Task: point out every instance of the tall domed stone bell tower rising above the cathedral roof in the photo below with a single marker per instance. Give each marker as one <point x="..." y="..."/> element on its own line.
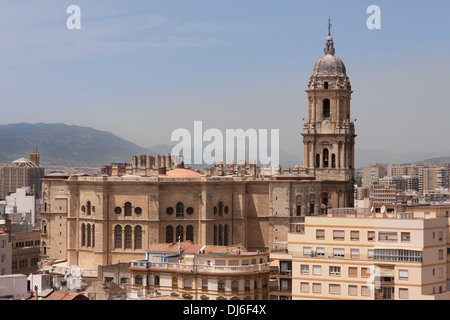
<point x="328" y="133"/>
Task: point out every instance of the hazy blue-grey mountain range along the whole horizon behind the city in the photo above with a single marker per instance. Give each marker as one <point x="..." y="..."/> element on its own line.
<point x="76" y="146"/>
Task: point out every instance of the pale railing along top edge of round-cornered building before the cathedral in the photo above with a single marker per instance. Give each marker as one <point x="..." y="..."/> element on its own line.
<point x="141" y="264"/>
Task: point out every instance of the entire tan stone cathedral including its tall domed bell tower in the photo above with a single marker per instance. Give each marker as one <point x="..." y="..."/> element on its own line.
<point x="116" y="215"/>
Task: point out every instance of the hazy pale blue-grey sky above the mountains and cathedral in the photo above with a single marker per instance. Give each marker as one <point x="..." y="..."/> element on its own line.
<point x="143" y="68"/>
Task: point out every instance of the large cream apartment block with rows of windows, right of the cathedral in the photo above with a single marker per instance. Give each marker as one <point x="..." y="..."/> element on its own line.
<point x="394" y="253"/>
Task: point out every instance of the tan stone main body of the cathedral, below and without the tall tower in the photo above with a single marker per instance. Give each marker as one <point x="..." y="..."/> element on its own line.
<point x="100" y="220"/>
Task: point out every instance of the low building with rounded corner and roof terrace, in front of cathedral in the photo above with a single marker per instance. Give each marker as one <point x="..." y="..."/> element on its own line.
<point x="202" y="272"/>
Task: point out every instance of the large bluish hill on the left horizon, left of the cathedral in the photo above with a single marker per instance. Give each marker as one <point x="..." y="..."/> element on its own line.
<point x="64" y="144"/>
